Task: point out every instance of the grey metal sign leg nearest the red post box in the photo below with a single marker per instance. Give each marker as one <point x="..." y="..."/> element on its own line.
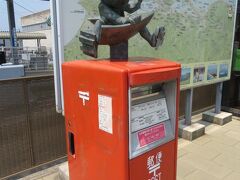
<point x="188" y="107"/>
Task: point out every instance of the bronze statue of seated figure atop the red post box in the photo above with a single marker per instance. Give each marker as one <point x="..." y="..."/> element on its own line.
<point x="114" y="28"/>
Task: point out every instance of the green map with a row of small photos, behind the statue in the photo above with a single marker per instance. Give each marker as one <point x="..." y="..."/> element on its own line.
<point x="199" y="35"/>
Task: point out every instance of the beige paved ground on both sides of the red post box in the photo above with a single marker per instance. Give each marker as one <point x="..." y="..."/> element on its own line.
<point x="215" y="156"/>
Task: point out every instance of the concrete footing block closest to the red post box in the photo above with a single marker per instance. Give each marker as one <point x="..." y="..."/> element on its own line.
<point x="191" y="132"/>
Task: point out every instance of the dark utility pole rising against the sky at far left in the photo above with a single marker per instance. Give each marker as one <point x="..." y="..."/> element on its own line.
<point x="12" y="30"/>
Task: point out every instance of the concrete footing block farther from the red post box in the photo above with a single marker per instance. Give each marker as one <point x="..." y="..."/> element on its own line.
<point x="220" y="119"/>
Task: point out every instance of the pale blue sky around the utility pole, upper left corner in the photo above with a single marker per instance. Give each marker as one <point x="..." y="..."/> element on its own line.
<point x="32" y="5"/>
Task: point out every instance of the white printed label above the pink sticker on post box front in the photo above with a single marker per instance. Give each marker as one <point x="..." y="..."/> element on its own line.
<point x="148" y="114"/>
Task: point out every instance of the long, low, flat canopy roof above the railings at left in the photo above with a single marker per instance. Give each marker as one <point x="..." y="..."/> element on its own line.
<point x="23" y="35"/>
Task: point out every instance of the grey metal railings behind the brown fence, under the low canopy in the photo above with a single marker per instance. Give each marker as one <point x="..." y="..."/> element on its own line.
<point x="33" y="58"/>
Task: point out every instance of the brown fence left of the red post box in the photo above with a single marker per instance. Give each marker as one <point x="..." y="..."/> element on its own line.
<point x="31" y="132"/>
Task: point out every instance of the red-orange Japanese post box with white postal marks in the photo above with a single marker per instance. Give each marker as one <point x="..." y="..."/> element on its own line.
<point x="121" y="119"/>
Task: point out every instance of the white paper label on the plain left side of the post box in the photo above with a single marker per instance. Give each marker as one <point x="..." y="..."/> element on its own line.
<point x="105" y="113"/>
